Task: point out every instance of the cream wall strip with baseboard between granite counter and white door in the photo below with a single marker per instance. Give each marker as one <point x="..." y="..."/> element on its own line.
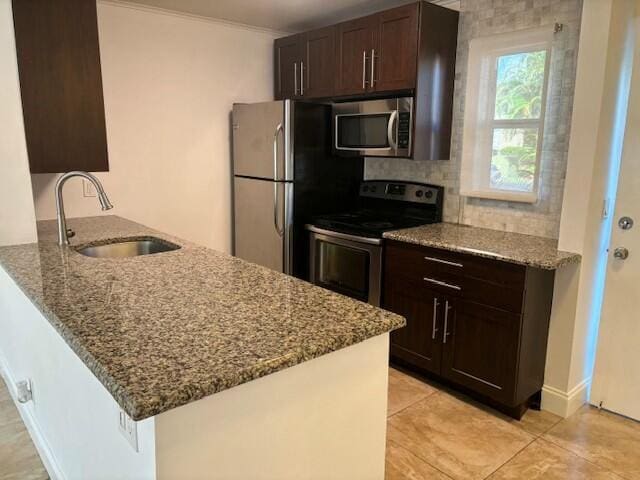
<point x="599" y="105"/>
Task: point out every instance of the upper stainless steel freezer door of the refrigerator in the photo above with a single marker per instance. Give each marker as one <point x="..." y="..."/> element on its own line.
<point x="262" y="140"/>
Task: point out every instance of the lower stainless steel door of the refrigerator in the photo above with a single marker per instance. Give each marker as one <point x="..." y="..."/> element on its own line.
<point x="262" y="222"/>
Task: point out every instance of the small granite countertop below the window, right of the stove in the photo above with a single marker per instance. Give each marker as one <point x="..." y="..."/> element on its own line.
<point x="510" y="247"/>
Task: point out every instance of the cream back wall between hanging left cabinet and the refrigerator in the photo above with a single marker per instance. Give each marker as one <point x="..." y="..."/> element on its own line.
<point x="169" y="84"/>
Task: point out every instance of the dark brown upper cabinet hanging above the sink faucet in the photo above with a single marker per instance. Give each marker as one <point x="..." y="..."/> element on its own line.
<point x="61" y="85"/>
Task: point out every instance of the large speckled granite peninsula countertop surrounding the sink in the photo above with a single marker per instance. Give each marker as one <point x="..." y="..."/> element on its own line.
<point x="160" y="331"/>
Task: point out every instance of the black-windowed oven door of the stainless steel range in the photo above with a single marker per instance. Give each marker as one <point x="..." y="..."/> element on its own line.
<point x="346" y="264"/>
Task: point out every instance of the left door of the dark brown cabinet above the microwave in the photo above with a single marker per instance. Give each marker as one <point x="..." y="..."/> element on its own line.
<point x="355" y="42"/>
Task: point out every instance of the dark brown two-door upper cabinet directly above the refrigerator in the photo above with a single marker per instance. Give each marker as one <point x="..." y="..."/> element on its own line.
<point x="305" y="65"/>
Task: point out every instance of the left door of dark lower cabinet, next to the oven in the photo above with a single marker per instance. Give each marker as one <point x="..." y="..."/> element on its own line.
<point x="420" y="342"/>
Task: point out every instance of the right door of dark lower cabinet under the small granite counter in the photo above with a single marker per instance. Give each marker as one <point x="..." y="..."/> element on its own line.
<point x="481" y="347"/>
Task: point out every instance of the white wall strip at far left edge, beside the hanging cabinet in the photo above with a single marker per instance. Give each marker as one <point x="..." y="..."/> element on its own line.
<point x="17" y="218"/>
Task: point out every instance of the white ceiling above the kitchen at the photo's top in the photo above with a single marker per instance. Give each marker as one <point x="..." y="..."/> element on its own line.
<point x="281" y="15"/>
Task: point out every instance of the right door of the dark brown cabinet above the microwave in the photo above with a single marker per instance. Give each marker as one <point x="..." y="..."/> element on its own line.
<point x="396" y="49"/>
